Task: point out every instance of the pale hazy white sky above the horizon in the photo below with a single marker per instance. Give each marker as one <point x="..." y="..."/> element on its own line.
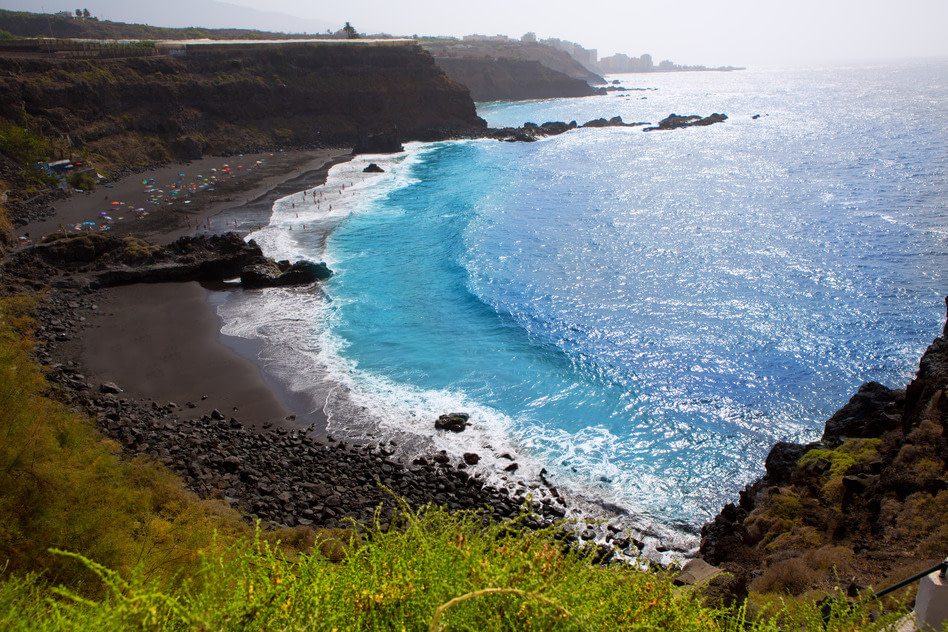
<point x="733" y="32"/>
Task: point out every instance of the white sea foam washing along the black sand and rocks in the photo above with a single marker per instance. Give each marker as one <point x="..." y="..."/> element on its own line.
<point x="302" y="351"/>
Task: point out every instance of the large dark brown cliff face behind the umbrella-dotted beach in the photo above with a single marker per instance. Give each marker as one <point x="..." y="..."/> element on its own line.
<point x="226" y="99"/>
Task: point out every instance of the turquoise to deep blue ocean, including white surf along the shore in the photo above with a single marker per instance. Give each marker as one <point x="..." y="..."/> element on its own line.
<point x="638" y="316"/>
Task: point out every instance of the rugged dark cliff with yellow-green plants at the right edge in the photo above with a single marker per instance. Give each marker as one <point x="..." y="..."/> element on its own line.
<point x="866" y="504"/>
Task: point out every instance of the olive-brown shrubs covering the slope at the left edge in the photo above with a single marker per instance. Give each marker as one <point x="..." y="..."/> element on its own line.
<point x="62" y="486"/>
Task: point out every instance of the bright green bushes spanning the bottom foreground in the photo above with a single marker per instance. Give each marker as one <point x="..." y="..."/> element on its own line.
<point x="435" y="571"/>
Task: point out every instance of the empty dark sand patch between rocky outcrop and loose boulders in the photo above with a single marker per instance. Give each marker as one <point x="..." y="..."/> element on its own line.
<point x="161" y="342"/>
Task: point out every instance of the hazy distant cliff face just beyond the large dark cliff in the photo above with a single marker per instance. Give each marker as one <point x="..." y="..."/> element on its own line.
<point x="512" y="79"/>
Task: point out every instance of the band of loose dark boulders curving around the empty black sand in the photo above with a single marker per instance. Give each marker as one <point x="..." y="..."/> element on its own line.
<point x="281" y="475"/>
